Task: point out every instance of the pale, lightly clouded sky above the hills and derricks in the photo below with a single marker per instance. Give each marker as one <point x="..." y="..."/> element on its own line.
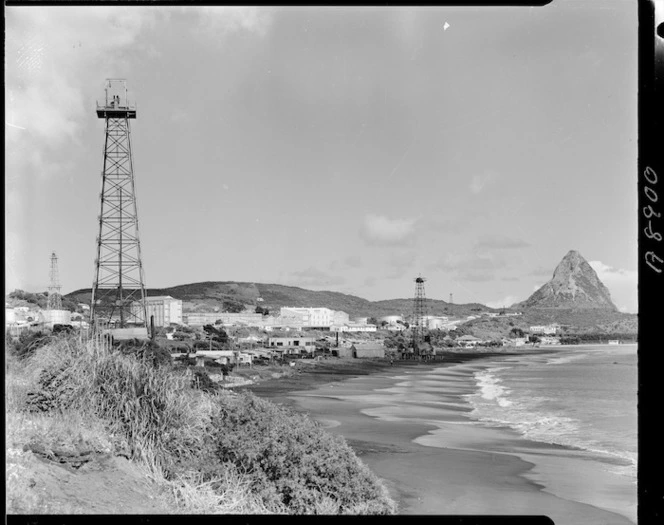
<point x="342" y="148"/>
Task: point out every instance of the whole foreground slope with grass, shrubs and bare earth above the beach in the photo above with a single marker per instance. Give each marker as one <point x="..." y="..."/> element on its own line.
<point x="81" y="411"/>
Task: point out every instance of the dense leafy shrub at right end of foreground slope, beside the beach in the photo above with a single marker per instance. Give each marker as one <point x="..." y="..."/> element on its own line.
<point x="292" y="461"/>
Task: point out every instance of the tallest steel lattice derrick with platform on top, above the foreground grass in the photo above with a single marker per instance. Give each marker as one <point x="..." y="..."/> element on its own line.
<point x="118" y="291"/>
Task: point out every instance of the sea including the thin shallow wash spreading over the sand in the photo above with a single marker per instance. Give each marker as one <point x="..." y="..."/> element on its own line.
<point x="569" y="412"/>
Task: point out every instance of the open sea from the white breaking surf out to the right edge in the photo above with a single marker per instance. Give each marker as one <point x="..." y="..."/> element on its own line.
<point x="584" y="398"/>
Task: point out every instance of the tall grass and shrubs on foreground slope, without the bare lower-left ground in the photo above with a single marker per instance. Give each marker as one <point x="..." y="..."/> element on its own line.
<point x="200" y="447"/>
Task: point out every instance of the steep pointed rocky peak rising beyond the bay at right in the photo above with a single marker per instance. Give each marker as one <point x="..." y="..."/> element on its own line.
<point x="574" y="285"/>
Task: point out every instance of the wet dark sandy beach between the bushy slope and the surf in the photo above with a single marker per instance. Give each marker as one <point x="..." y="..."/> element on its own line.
<point x="455" y="467"/>
